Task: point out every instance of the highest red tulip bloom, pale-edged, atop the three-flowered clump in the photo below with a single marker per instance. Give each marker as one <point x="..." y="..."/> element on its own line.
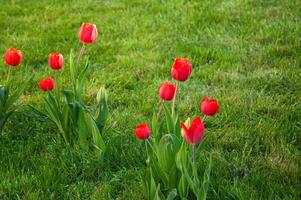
<point x="88" y="33"/>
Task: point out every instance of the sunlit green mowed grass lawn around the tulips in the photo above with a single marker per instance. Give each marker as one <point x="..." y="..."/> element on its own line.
<point x="245" y="53"/>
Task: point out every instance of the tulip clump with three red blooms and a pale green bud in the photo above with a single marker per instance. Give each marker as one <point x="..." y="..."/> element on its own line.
<point x="79" y="125"/>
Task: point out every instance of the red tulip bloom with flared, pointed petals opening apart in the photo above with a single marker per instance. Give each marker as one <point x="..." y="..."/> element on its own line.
<point x="195" y="133"/>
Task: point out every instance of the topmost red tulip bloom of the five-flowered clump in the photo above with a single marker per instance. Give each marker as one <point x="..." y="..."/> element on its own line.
<point x="181" y="69"/>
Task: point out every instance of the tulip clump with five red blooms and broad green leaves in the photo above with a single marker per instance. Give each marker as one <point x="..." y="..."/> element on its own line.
<point x="172" y="150"/>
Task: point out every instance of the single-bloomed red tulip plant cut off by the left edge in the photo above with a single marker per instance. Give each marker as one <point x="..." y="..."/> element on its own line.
<point x="9" y="94"/>
